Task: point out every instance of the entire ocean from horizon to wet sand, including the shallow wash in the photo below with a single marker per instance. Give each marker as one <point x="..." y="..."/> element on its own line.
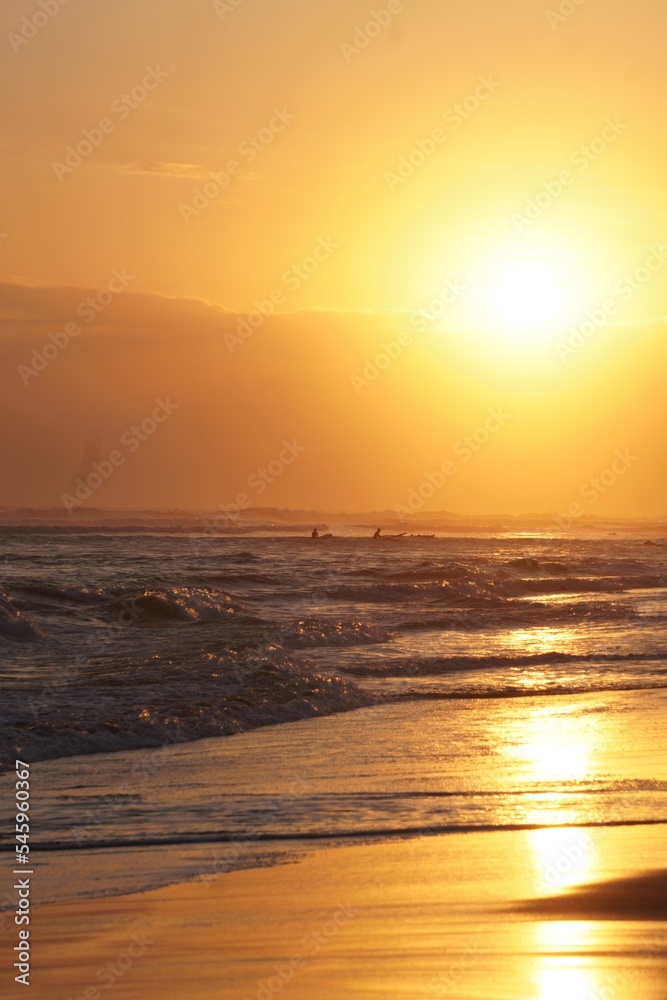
<point x="204" y="703"/>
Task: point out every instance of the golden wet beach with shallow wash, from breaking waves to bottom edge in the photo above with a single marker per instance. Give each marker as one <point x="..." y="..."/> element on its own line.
<point x="529" y="909"/>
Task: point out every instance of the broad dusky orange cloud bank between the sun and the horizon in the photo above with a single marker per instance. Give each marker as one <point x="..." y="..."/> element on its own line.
<point x="291" y="378"/>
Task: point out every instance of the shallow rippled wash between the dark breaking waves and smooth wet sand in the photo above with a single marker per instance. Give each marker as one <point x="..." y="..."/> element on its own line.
<point x="375" y="777"/>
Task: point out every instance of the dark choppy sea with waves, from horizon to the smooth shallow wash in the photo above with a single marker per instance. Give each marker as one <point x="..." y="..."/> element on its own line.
<point x="110" y="641"/>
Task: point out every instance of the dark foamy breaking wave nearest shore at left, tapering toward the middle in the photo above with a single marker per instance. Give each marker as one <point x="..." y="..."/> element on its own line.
<point x="152" y="704"/>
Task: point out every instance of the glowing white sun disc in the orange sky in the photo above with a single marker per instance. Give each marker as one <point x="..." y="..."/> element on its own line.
<point x="528" y="291"/>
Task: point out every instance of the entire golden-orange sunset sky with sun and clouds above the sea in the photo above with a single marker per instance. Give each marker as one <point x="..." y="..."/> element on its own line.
<point x="470" y="193"/>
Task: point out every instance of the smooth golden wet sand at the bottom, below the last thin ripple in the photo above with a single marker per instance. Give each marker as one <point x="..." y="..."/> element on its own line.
<point x="545" y="914"/>
